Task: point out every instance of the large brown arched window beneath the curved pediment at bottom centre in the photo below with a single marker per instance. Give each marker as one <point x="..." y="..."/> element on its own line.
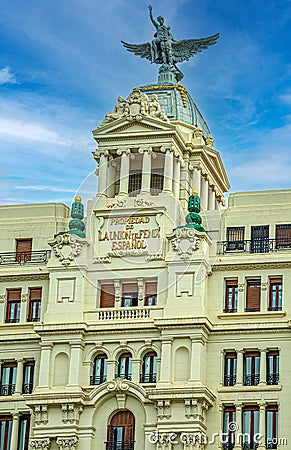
<point x="120" y="435"/>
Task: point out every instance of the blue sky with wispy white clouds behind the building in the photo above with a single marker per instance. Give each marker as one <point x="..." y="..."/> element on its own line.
<point x="62" y="67"/>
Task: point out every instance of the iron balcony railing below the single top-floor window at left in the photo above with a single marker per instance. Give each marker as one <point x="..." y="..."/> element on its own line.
<point x="24" y="258"/>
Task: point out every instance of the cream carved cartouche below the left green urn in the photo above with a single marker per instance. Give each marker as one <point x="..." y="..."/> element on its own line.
<point x="67" y="246"/>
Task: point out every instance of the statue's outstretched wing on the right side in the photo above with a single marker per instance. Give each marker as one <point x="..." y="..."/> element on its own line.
<point x="183" y="50"/>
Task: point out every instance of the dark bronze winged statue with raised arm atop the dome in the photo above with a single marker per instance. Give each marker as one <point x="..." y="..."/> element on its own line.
<point x="166" y="51"/>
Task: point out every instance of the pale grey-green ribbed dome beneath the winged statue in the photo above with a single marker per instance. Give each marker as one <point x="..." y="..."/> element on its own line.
<point x="178" y="104"/>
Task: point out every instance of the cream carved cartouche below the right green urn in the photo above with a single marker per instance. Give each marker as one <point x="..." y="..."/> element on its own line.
<point x="184" y="242"/>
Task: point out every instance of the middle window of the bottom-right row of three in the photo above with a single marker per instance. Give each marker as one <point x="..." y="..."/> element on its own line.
<point x="250" y="419"/>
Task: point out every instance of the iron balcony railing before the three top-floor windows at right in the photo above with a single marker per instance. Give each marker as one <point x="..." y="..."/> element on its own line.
<point x="263" y="245"/>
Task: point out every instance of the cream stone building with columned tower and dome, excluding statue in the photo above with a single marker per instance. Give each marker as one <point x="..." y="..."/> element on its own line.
<point x="161" y="319"/>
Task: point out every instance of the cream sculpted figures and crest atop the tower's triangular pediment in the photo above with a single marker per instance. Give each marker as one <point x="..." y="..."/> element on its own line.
<point x="137" y="106"/>
